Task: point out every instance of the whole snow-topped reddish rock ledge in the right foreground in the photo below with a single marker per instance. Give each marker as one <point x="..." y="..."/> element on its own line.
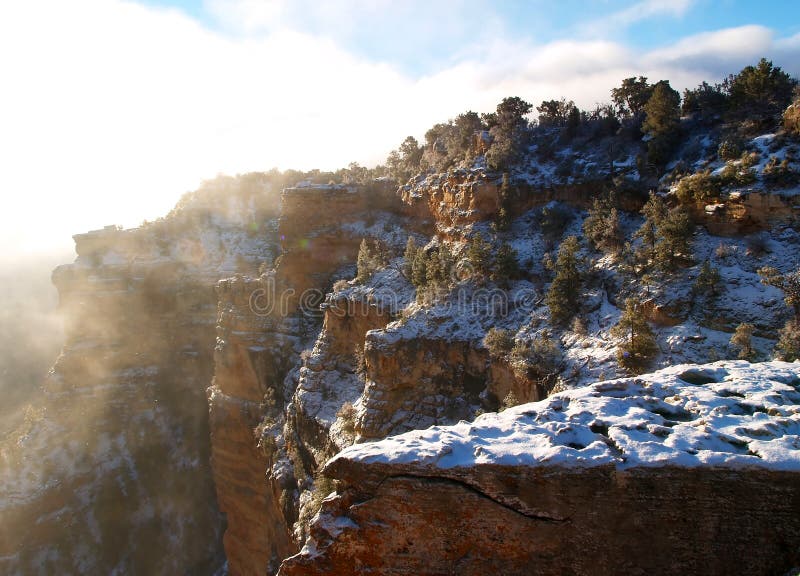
<point x="673" y="472"/>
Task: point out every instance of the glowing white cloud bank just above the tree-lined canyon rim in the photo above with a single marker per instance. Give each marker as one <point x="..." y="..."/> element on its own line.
<point x="111" y="110"/>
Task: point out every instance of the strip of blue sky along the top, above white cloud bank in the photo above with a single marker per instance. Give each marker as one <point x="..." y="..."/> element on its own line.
<point x="423" y="38"/>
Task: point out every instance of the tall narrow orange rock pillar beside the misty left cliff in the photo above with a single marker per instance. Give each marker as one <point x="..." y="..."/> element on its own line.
<point x="250" y="361"/>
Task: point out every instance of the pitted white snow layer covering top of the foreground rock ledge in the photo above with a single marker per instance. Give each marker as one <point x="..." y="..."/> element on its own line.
<point x="730" y="414"/>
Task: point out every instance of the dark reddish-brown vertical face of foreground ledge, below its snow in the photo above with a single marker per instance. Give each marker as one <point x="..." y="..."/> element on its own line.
<point x="554" y="521"/>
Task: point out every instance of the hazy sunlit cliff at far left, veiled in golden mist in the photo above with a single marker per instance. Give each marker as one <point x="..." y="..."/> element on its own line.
<point x="112" y="473"/>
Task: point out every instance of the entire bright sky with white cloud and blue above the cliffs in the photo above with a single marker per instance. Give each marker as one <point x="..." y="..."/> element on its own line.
<point x="111" y="109"/>
